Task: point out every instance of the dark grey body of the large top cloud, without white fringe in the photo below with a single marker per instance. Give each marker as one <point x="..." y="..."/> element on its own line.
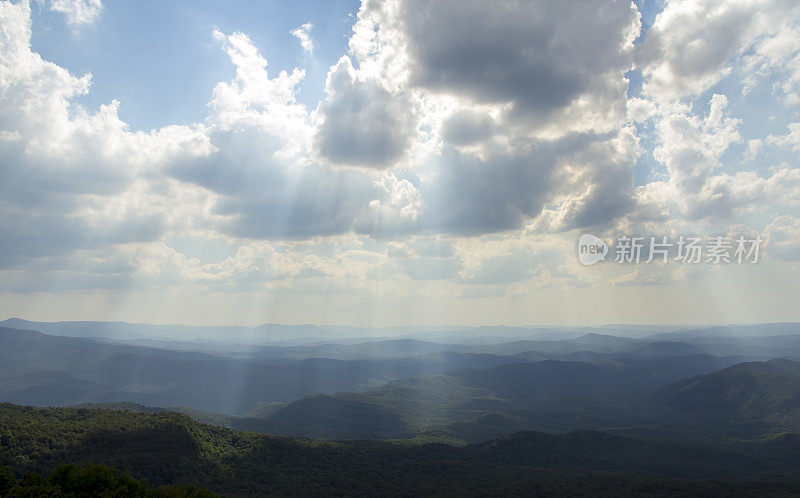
<point x="537" y="55"/>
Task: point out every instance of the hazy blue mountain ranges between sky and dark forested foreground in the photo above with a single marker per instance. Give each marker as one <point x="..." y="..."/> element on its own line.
<point x="389" y="388"/>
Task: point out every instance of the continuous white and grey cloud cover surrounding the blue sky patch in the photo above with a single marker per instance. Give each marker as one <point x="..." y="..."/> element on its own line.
<point x="457" y="145"/>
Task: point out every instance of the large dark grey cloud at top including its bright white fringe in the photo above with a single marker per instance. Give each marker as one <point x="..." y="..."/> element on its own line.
<point x="536" y="58"/>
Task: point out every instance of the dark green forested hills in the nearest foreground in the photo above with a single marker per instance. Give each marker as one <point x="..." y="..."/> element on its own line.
<point x="167" y="448"/>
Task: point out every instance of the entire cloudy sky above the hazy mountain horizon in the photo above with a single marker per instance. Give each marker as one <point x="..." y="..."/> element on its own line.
<point x="398" y="162"/>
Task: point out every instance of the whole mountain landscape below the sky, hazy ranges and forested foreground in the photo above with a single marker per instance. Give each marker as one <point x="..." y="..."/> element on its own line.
<point x="443" y="411"/>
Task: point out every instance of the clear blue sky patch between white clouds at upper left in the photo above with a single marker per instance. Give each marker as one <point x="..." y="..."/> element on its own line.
<point x="171" y="43"/>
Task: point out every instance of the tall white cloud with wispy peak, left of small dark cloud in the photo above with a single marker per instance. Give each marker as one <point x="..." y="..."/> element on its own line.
<point x="260" y="168"/>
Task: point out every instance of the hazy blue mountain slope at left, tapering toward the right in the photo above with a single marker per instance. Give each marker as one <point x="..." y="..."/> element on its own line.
<point x="39" y="369"/>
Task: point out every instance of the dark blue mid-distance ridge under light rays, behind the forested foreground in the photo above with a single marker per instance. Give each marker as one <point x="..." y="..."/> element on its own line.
<point x="545" y="395"/>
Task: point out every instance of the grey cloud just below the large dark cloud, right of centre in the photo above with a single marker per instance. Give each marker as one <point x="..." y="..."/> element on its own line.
<point x="502" y="190"/>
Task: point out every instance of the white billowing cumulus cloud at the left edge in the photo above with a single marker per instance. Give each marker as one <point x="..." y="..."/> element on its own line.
<point x="71" y="179"/>
